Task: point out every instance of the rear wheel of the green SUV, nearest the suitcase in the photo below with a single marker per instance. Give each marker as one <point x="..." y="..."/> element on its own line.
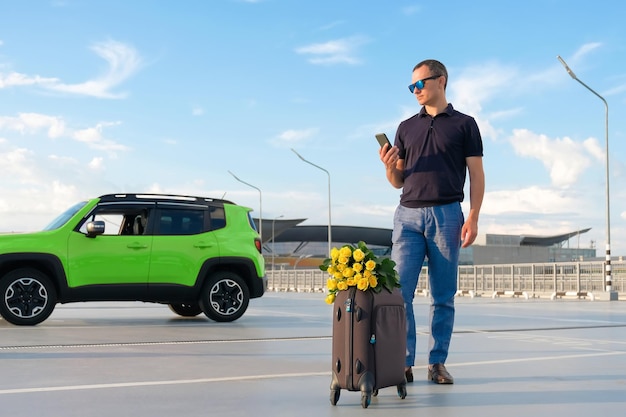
<point x="225" y="297"/>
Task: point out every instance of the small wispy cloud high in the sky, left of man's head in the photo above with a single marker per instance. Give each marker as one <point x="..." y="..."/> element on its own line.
<point x="339" y="51"/>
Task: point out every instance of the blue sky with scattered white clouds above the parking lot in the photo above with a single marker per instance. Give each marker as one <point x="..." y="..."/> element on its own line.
<point x="187" y="97"/>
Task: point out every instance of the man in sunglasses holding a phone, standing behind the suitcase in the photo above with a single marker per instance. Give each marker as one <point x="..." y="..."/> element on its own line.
<point x="431" y="154"/>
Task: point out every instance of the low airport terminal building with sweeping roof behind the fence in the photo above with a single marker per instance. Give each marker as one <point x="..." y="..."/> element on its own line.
<point x="289" y="242"/>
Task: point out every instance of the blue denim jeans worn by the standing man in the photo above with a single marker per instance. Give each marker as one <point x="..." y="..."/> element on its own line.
<point x="432" y="233"/>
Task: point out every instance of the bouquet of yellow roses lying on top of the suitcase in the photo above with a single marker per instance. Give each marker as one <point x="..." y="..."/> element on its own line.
<point x="358" y="267"/>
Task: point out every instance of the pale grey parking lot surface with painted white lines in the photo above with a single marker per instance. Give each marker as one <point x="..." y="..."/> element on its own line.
<point x="509" y="356"/>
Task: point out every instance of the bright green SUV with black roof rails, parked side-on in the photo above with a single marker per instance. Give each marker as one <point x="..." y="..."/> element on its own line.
<point x="198" y="255"/>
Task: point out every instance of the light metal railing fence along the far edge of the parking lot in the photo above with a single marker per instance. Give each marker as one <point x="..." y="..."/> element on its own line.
<point x="579" y="279"/>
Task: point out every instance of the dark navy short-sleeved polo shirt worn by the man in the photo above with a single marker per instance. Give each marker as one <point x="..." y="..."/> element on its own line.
<point x="434" y="151"/>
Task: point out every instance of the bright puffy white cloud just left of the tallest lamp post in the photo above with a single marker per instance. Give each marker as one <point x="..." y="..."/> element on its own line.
<point x="565" y="159"/>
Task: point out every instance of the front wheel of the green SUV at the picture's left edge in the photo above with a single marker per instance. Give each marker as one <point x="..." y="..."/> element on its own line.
<point x="27" y="297"/>
